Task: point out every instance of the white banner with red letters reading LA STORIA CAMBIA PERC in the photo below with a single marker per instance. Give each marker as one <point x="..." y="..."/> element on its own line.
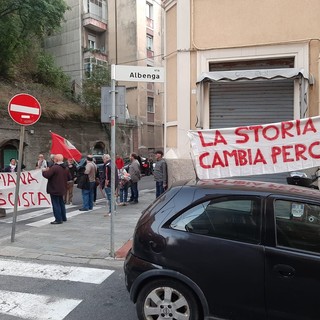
<point x="257" y="149"/>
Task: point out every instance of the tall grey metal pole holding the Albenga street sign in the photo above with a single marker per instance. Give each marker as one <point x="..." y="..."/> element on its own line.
<point x="113" y="162"/>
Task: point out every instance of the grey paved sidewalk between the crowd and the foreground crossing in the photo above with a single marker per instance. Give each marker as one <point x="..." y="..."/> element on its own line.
<point x="84" y="238"/>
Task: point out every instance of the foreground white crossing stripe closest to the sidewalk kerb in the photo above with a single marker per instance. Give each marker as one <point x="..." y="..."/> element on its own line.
<point x="53" y="272"/>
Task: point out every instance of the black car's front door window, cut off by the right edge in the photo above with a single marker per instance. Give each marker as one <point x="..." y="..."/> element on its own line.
<point x="297" y="225"/>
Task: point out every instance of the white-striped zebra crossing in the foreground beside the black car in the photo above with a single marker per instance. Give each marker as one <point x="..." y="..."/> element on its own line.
<point x="40" y="306"/>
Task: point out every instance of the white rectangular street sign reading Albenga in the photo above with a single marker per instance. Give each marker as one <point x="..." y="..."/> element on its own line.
<point x="140" y="74"/>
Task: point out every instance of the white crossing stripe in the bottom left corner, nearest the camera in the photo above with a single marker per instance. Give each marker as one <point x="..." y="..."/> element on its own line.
<point x="34" y="306"/>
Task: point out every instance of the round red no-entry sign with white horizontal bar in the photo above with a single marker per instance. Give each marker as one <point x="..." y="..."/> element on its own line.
<point x="24" y="109"/>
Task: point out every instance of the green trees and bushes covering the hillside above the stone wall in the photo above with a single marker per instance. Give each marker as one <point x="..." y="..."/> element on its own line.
<point x="24" y="26"/>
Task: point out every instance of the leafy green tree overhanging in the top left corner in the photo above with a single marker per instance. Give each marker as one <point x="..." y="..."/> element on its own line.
<point x="22" y="22"/>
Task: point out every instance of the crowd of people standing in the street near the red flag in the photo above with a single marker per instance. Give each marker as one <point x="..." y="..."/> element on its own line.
<point x="87" y="176"/>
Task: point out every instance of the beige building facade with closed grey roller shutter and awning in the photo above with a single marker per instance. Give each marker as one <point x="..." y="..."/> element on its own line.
<point x="231" y="63"/>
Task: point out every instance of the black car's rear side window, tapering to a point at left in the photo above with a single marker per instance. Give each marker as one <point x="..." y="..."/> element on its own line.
<point x="233" y="218"/>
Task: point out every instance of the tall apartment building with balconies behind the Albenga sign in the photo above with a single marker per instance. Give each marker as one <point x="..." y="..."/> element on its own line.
<point x="122" y="32"/>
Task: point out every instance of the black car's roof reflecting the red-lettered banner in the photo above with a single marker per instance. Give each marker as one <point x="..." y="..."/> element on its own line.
<point x="254" y="186"/>
